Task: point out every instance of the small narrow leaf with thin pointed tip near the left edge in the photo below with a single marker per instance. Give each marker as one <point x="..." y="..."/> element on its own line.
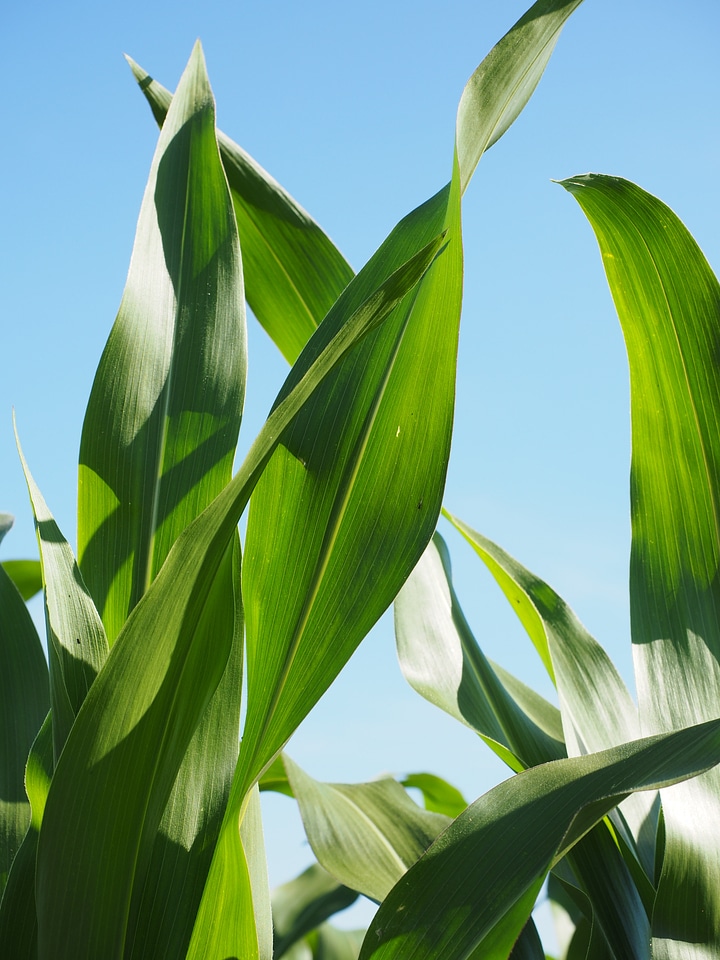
<point x="77" y="646"/>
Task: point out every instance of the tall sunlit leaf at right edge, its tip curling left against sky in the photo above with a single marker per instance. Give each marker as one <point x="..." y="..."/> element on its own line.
<point x="668" y="301"/>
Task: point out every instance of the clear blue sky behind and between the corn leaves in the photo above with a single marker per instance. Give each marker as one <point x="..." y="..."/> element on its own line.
<point x="352" y="107"/>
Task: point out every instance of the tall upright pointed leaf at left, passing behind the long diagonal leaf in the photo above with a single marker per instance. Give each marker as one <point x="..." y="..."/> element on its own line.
<point x="158" y="444"/>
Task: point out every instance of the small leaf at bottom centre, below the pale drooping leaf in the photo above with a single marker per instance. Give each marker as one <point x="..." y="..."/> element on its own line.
<point x="304" y="903"/>
